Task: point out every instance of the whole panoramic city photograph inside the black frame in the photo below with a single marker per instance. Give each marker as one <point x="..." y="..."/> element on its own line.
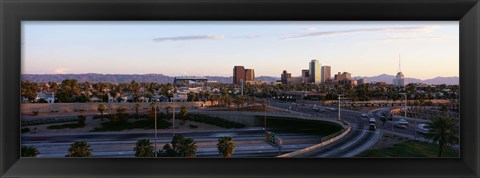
<point x="240" y="89"/>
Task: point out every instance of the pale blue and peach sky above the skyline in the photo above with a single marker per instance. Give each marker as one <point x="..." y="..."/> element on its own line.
<point x="425" y="49"/>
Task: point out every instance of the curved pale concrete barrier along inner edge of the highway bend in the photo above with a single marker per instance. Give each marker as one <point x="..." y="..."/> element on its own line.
<point x="324" y="141"/>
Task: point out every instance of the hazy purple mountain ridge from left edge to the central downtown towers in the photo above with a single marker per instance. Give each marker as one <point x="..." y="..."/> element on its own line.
<point x="122" y="78"/>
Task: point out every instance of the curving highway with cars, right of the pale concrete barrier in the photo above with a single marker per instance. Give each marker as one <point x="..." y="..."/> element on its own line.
<point x="360" y="138"/>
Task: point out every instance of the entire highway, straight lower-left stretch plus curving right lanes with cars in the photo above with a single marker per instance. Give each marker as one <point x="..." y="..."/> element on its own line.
<point x="249" y="142"/>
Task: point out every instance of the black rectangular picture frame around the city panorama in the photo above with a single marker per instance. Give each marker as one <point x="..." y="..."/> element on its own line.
<point x="12" y="12"/>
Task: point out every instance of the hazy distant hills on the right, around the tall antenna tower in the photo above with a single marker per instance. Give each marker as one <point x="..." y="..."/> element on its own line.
<point x="435" y="81"/>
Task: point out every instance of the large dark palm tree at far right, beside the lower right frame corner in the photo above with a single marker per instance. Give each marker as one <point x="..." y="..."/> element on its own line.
<point x="444" y="131"/>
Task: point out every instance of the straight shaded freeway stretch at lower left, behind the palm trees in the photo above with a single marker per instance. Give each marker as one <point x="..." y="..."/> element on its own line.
<point x="249" y="143"/>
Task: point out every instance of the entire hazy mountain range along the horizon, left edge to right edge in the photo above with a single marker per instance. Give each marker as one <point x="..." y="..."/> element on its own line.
<point x="160" y="78"/>
